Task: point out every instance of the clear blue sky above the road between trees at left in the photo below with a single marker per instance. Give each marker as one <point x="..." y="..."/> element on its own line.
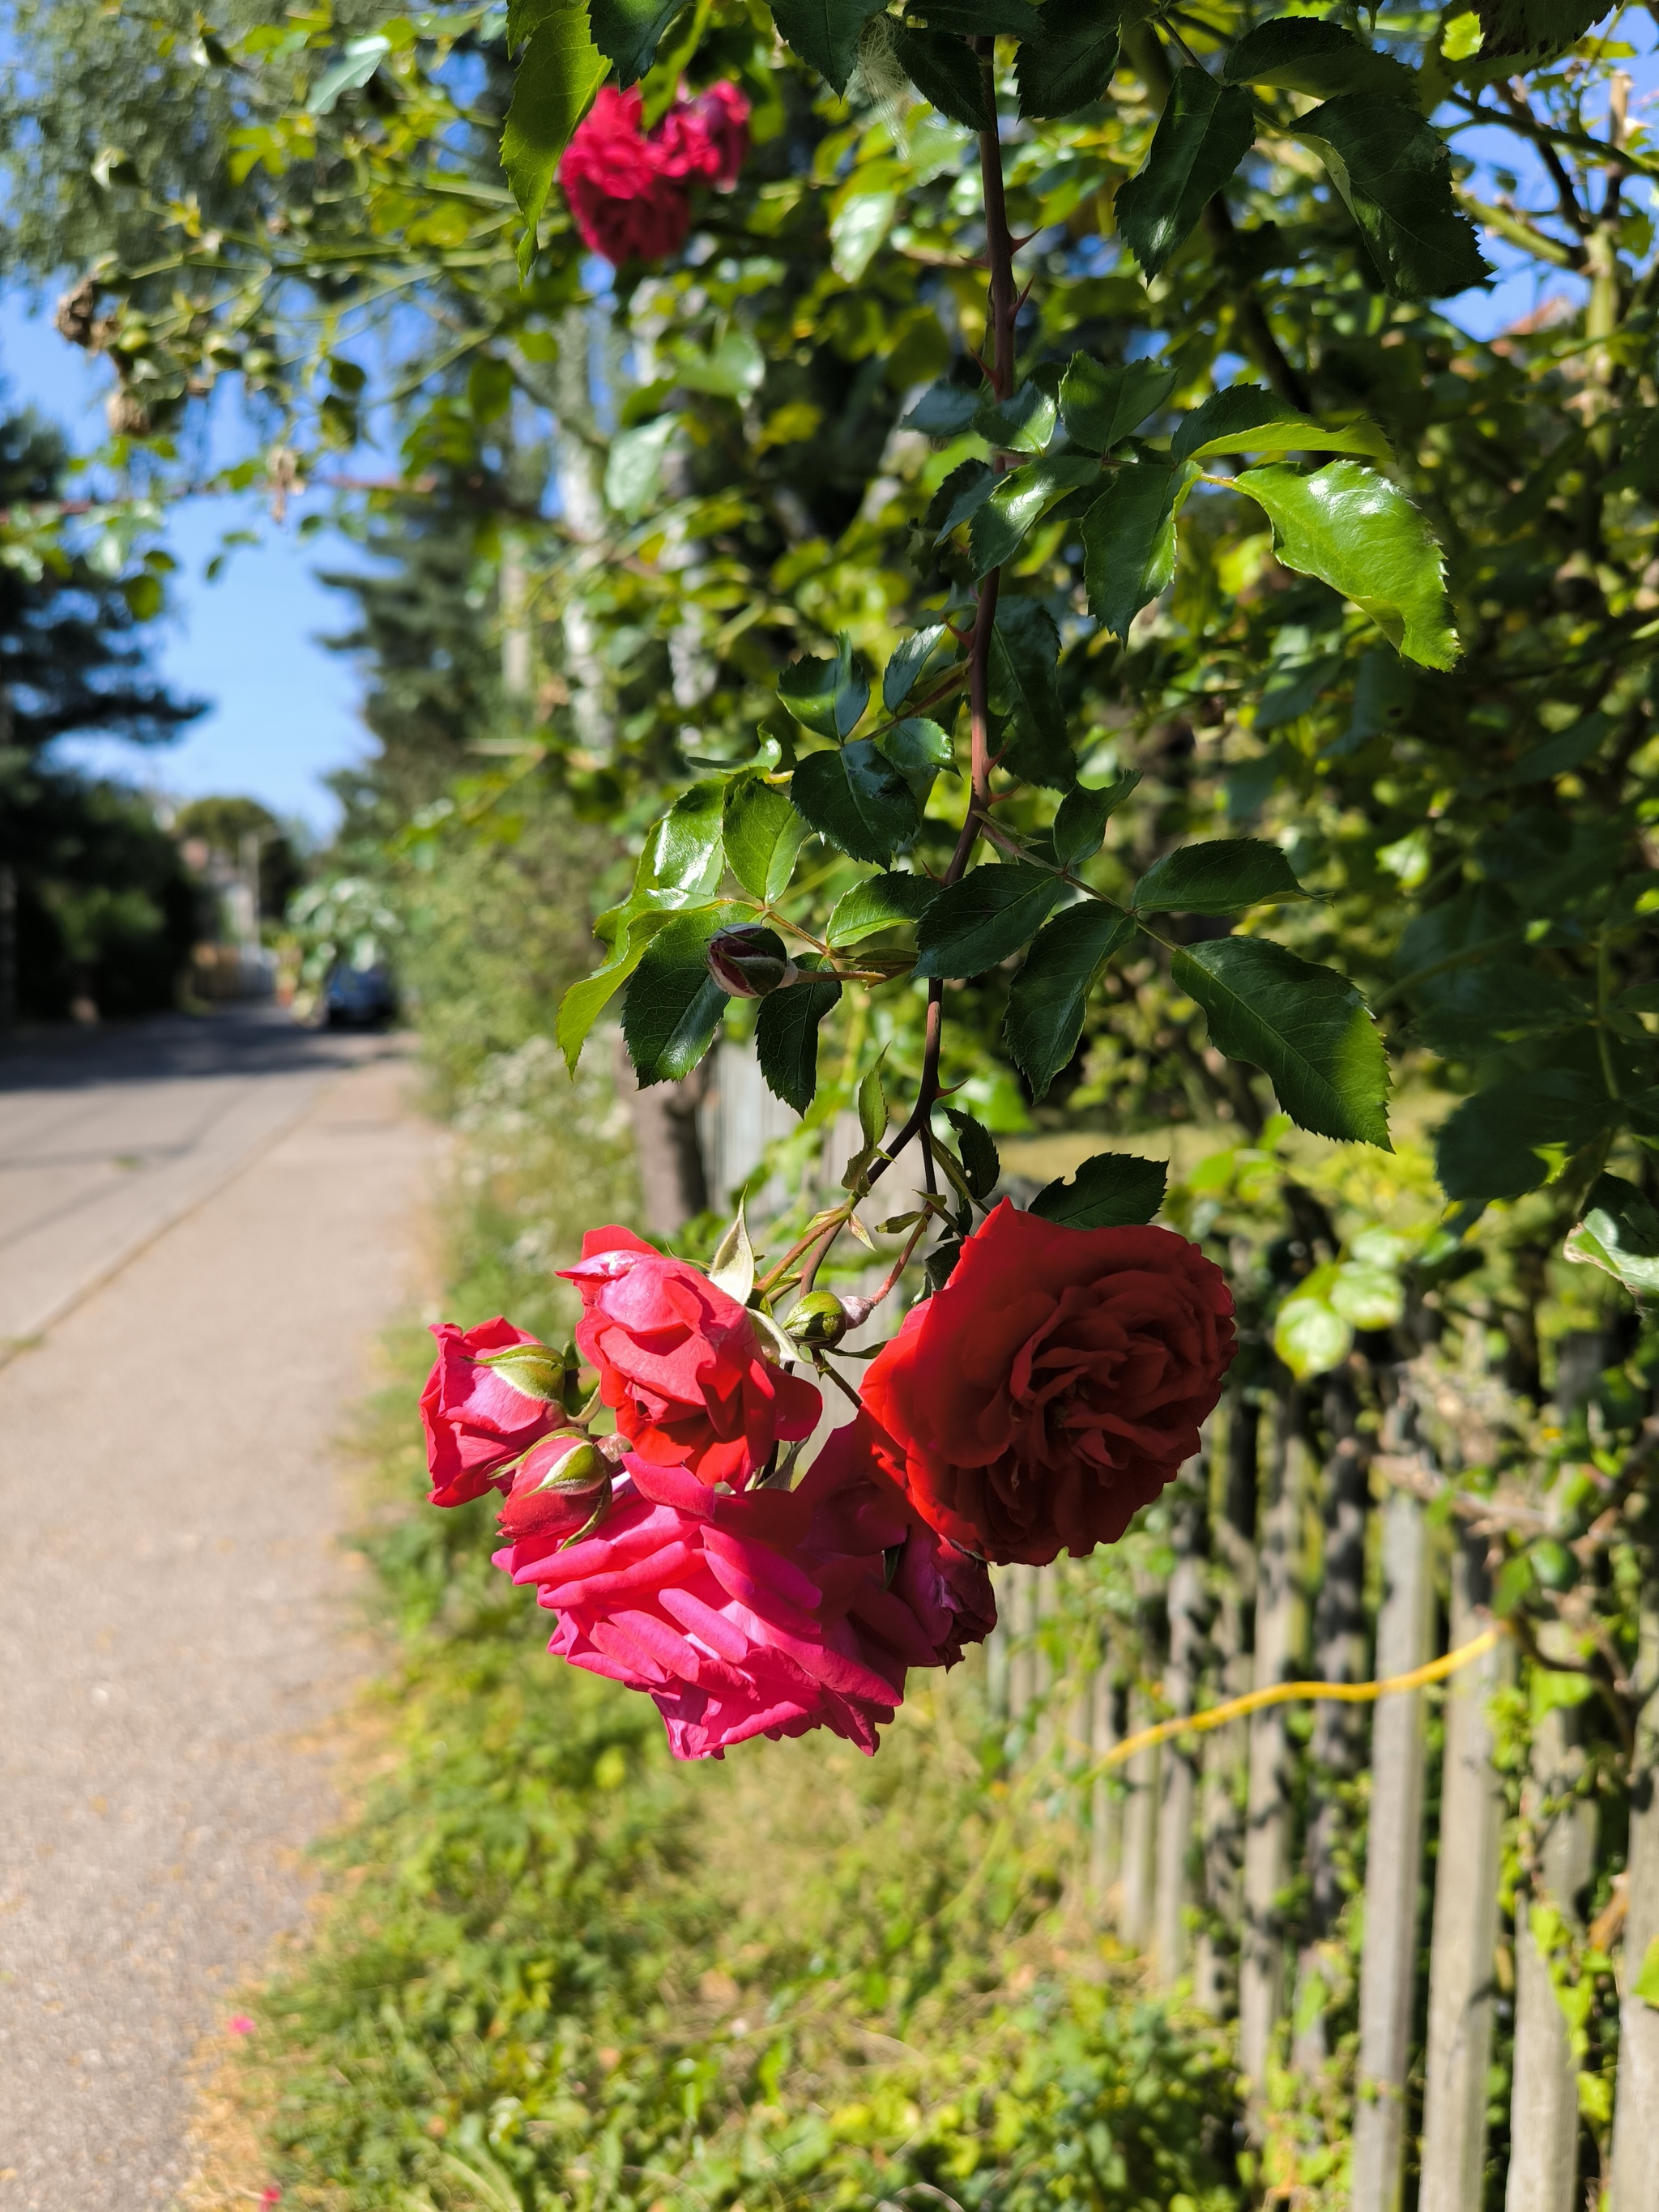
<point x="282" y="709"/>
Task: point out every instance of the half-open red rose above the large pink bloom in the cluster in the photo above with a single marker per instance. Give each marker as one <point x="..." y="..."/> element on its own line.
<point x="682" y="1364"/>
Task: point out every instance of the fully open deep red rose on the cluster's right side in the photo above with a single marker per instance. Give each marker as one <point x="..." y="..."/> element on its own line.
<point x="1054" y="1386"/>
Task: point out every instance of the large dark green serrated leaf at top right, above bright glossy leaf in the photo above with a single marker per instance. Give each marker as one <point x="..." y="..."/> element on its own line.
<point x="1395" y="174"/>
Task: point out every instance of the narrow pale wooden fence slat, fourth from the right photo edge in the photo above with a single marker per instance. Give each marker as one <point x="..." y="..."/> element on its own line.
<point x="1392" y="1864"/>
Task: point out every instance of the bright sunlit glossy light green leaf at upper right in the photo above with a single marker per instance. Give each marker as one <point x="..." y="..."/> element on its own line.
<point x="1359" y="534"/>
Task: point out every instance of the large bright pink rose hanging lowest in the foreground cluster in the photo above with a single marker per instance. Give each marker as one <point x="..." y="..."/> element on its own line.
<point x="758" y="1616"/>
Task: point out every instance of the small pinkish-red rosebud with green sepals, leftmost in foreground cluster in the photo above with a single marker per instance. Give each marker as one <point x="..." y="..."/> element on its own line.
<point x="483" y="1406"/>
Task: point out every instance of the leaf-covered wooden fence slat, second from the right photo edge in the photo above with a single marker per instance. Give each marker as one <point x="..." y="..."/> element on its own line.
<point x="1545" y="2107"/>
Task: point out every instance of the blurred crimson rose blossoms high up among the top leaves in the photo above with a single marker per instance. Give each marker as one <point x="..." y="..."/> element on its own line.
<point x="629" y="189"/>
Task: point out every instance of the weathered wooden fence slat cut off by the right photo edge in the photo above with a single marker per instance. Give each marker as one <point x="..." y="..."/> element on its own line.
<point x="1636" y="2120"/>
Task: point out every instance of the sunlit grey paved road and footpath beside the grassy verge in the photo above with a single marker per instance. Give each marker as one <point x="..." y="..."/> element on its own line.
<point x="171" y="1596"/>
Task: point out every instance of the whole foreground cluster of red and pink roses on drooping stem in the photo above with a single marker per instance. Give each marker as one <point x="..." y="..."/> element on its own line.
<point x="1032" y="1406"/>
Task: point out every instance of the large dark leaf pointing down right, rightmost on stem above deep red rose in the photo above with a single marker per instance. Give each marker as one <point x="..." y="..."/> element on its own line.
<point x="1306" y="1027"/>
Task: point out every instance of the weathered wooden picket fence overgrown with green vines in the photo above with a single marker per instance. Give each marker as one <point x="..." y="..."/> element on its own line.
<point x="1381" y="1901"/>
